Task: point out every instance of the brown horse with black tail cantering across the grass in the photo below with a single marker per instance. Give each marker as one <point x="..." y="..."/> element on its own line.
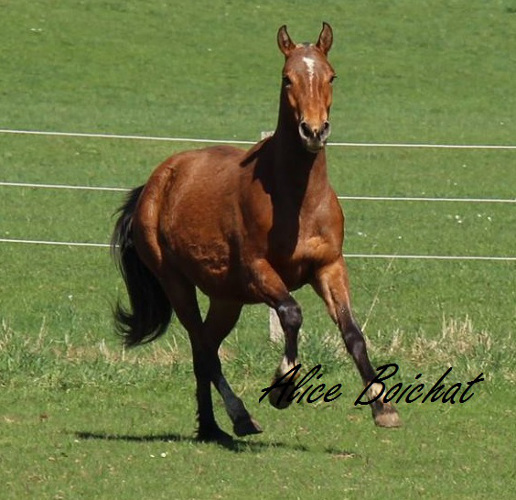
<point x="244" y="227"/>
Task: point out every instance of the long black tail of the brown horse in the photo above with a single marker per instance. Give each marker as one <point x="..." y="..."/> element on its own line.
<point x="151" y="310"/>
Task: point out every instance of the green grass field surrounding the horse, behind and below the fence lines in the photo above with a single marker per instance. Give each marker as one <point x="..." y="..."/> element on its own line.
<point x="81" y="418"/>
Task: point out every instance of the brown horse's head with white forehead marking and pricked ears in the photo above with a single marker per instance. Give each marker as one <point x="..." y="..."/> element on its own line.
<point x="306" y="94"/>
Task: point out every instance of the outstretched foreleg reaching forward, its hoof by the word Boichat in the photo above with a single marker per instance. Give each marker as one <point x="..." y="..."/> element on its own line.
<point x="331" y="284"/>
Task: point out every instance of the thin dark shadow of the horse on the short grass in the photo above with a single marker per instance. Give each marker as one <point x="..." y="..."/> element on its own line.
<point x="234" y="445"/>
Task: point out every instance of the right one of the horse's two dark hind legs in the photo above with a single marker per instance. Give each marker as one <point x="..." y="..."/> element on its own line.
<point x="220" y="320"/>
